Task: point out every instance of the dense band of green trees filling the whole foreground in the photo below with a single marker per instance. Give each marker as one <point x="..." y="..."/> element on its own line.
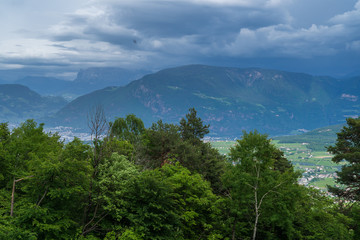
<point x="164" y="182"/>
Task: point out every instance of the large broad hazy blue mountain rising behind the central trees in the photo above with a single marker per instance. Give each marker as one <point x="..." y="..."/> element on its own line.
<point x="230" y="99"/>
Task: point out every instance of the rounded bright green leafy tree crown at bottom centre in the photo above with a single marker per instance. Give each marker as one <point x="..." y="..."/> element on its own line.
<point x="169" y="203"/>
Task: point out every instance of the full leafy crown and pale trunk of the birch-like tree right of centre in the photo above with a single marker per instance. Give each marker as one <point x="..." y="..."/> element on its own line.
<point x="259" y="183"/>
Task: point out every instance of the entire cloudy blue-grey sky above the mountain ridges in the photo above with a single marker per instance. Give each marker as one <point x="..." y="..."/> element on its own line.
<point x="60" y="37"/>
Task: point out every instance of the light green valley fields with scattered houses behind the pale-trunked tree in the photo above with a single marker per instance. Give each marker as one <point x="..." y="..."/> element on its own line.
<point x="315" y="165"/>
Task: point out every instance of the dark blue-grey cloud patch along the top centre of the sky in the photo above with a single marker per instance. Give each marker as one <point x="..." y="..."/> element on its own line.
<point x="175" y="19"/>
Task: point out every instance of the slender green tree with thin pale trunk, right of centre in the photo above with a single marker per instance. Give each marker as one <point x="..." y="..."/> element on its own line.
<point x="253" y="181"/>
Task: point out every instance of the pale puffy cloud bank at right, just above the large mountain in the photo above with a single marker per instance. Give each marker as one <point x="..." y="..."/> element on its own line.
<point x="285" y="41"/>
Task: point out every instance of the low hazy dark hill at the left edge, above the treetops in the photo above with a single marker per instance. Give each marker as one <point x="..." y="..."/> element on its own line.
<point x="18" y="103"/>
